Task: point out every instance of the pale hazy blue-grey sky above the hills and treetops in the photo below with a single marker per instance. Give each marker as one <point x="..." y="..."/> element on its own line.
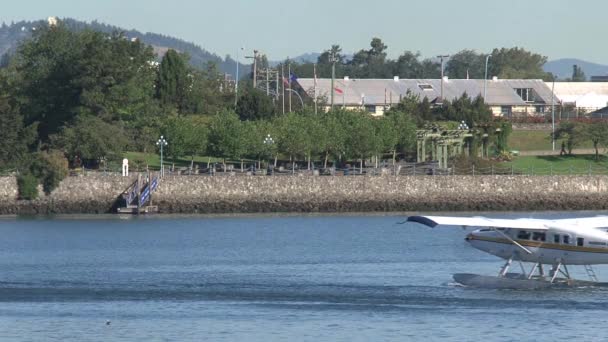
<point x="281" y="28"/>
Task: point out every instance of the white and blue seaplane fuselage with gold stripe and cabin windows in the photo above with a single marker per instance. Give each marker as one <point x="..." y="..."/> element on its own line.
<point x="568" y="245"/>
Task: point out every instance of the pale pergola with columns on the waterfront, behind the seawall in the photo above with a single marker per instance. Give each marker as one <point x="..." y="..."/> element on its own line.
<point x="444" y="144"/>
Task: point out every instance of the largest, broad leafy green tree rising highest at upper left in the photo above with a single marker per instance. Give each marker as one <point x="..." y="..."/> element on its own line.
<point x="61" y="74"/>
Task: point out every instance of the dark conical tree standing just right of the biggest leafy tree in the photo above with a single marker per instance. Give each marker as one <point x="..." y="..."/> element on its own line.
<point x="173" y="81"/>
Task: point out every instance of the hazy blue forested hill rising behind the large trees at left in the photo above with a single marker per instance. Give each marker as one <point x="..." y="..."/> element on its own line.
<point x="12" y="35"/>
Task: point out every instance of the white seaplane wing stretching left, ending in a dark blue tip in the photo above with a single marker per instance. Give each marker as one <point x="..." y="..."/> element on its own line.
<point x="478" y="221"/>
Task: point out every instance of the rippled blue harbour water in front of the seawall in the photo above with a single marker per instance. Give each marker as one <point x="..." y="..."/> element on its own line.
<point x="296" y="278"/>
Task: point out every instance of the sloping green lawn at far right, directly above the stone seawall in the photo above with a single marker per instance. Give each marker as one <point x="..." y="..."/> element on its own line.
<point x="575" y="164"/>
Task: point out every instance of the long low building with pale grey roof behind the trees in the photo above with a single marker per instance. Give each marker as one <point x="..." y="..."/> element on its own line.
<point x="505" y="97"/>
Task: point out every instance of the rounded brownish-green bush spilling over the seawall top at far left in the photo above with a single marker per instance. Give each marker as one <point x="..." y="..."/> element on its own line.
<point x="50" y="167"/>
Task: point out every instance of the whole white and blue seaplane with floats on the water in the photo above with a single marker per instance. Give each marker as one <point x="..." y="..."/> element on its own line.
<point x="558" y="243"/>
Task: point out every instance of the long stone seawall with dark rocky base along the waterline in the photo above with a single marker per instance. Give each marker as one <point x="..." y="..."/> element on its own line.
<point x="248" y="194"/>
